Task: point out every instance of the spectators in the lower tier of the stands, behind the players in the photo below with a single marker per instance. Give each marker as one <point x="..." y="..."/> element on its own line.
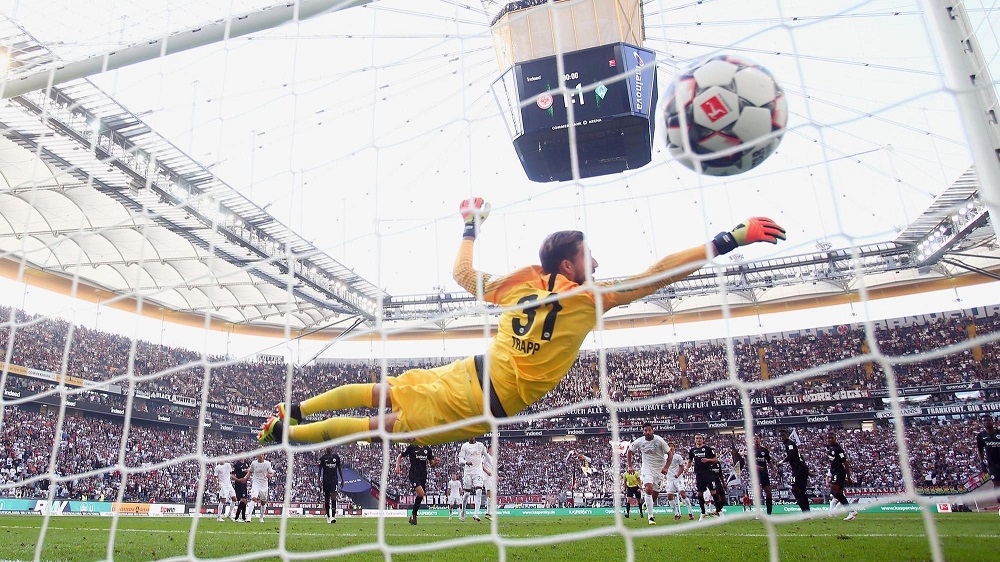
<point x="162" y="462"/>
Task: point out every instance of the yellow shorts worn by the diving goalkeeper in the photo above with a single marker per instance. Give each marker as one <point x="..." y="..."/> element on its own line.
<point x="427" y="398"/>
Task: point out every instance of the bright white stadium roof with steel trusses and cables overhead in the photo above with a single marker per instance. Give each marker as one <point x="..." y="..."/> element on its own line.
<point x="98" y="189"/>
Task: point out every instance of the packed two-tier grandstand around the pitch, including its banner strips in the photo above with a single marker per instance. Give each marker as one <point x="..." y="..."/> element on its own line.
<point x="942" y="399"/>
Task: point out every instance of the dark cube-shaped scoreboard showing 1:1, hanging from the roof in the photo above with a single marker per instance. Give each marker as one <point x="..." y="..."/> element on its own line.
<point x="612" y="90"/>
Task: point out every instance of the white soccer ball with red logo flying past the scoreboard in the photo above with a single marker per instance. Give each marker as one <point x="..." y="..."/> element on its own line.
<point x="727" y="102"/>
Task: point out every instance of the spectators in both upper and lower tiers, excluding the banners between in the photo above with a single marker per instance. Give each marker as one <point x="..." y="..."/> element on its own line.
<point x="89" y="456"/>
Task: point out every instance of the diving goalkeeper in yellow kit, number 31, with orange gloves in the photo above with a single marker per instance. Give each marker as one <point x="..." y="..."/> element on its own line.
<point x="550" y="309"/>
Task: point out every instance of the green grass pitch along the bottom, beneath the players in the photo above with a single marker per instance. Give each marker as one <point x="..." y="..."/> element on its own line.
<point x="964" y="537"/>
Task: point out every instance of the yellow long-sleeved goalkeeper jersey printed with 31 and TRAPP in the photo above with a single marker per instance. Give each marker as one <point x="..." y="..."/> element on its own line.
<point x="538" y="341"/>
